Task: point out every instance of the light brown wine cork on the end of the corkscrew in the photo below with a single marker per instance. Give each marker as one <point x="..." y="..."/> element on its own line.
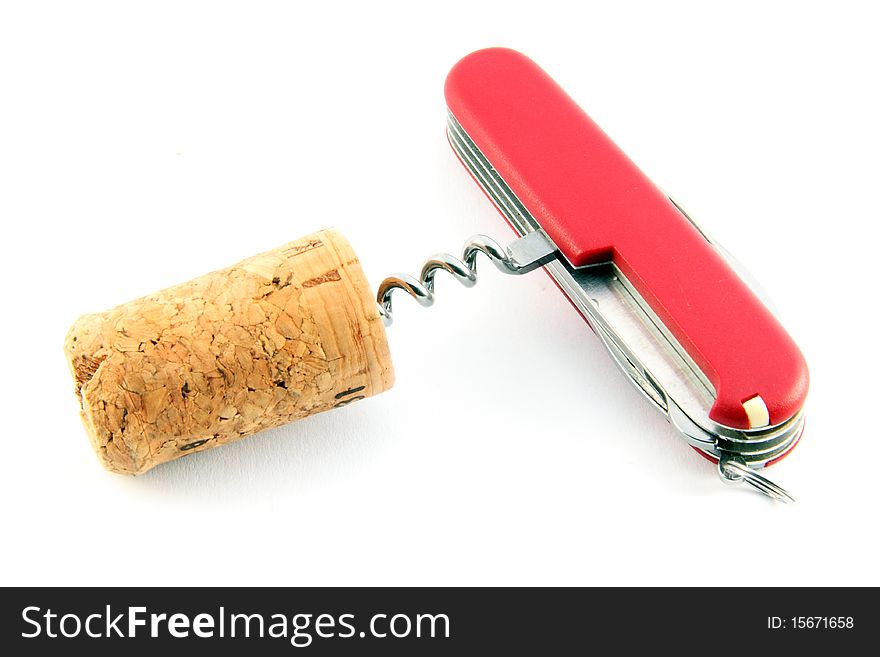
<point x="285" y="334"/>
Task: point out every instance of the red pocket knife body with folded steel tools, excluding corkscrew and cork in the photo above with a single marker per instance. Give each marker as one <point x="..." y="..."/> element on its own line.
<point x="670" y="309"/>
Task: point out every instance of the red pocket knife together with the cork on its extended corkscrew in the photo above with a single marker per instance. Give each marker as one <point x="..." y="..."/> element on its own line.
<point x="295" y="330"/>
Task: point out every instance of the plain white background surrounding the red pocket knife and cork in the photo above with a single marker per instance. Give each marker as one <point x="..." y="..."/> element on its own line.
<point x="142" y="144"/>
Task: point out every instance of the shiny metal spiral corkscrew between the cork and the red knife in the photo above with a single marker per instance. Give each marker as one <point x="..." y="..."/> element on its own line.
<point x="524" y="255"/>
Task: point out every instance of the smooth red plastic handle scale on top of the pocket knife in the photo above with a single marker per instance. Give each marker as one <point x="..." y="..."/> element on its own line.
<point x="596" y="205"/>
